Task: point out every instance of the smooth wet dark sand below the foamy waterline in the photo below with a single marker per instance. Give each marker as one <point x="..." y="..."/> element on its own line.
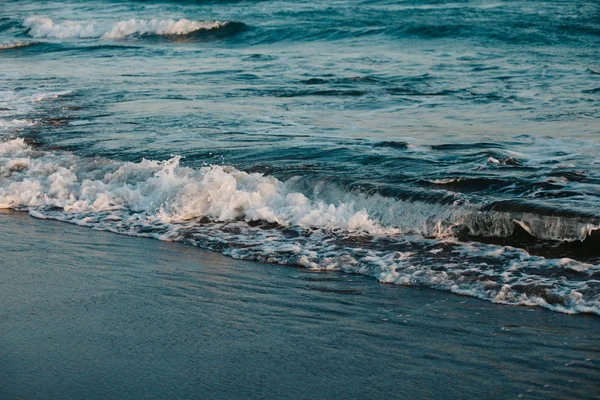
<point x="95" y="315"/>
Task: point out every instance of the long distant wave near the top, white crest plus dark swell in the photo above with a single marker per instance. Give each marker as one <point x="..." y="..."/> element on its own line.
<point x="404" y="26"/>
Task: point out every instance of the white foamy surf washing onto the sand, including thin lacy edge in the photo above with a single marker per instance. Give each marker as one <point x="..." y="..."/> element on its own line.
<point x="257" y="217"/>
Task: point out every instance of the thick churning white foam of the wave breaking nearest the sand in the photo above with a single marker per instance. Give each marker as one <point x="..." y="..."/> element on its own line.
<point x="166" y="191"/>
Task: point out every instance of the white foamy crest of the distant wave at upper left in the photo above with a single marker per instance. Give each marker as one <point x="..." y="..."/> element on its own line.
<point x="40" y="27"/>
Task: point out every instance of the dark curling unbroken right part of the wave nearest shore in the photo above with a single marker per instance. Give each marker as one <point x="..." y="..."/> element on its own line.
<point x="441" y="214"/>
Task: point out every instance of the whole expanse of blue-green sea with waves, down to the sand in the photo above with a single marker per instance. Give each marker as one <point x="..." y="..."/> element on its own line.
<point x="448" y="144"/>
